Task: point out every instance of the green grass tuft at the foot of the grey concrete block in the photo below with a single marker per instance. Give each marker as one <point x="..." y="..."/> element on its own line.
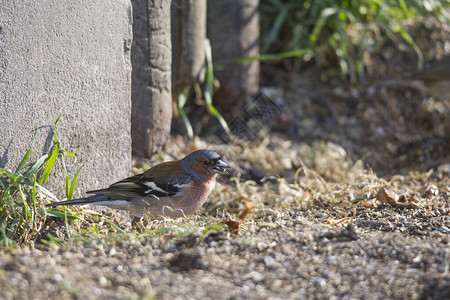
<point x="22" y="212"/>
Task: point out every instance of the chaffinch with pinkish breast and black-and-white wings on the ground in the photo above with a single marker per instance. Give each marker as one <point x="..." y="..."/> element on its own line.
<point x="174" y="188"/>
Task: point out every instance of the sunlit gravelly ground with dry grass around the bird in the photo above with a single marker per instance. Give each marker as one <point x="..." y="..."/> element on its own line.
<point x="345" y="195"/>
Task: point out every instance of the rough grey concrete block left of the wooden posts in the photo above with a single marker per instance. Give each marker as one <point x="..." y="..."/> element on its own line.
<point x="71" y="58"/>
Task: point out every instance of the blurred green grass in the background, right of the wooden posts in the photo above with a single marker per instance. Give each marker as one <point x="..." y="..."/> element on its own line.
<point x="341" y="33"/>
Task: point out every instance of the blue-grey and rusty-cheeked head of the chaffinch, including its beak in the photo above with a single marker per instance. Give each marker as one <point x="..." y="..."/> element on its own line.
<point x="204" y="164"/>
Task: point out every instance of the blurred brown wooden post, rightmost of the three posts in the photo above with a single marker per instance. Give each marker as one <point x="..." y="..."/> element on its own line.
<point x="233" y="28"/>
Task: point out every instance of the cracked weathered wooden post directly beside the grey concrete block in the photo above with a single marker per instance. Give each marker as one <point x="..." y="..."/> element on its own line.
<point x="151" y="56"/>
